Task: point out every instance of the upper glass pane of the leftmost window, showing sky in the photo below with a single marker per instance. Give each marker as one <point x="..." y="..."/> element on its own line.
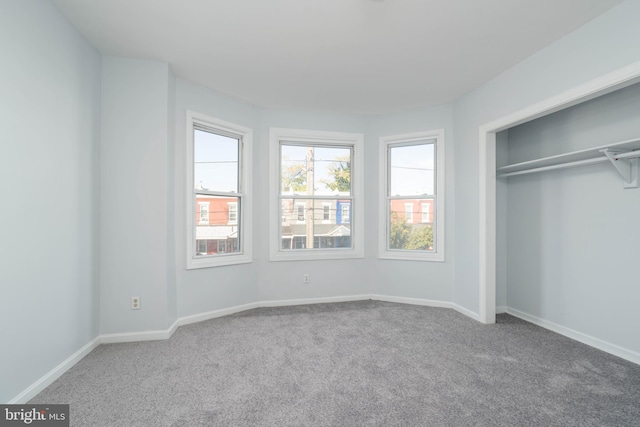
<point x="215" y="162"/>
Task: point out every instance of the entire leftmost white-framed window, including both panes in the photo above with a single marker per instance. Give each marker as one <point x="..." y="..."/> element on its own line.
<point x="218" y="181"/>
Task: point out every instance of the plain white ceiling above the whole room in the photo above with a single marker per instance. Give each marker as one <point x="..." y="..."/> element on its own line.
<point x="356" y="56"/>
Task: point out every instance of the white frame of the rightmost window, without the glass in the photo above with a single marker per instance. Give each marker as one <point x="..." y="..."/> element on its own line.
<point x="437" y="254"/>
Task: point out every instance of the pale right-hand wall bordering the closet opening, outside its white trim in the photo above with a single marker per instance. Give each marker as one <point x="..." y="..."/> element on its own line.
<point x="605" y="44"/>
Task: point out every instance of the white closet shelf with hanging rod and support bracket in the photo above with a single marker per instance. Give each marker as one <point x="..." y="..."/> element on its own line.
<point x="623" y="155"/>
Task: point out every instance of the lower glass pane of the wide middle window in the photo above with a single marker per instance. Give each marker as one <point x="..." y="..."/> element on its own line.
<point x="304" y="220"/>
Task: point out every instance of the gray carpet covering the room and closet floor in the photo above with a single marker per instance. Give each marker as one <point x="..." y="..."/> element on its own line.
<point x="365" y="363"/>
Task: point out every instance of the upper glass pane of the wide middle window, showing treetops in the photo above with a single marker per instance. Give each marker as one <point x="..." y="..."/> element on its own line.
<point x="328" y="167"/>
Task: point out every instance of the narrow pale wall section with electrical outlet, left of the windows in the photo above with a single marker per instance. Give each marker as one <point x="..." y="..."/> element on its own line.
<point x="135" y="165"/>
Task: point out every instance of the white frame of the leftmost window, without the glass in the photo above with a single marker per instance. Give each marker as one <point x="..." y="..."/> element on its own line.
<point x="245" y="136"/>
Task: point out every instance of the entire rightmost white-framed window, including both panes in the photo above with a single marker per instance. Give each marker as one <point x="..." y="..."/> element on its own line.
<point x="412" y="168"/>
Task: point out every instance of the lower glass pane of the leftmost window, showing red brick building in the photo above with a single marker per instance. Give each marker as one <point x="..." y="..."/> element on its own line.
<point x="220" y="232"/>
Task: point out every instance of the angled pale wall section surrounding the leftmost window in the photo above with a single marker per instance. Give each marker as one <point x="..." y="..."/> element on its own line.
<point x="208" y="289"/>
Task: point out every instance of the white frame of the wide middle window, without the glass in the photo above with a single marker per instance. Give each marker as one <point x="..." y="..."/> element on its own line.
<point x="278" y="136"/>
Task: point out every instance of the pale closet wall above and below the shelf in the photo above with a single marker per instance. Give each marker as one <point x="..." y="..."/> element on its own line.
<point x="573" y="234"/>
